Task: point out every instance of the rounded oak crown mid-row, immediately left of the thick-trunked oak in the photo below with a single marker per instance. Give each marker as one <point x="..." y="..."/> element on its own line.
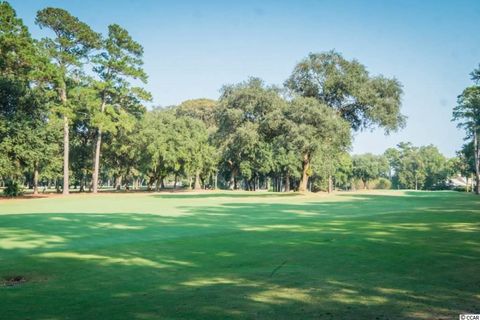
<point x="244" y="127"/>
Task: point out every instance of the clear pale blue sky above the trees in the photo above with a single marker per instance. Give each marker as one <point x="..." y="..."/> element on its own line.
<point x="192" y="48"/>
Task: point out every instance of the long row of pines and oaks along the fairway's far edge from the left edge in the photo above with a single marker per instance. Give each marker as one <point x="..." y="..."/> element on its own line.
<point x="73" y="115"/>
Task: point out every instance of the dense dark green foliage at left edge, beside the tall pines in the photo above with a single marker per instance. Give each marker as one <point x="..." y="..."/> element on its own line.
<point x="27" y="134"/>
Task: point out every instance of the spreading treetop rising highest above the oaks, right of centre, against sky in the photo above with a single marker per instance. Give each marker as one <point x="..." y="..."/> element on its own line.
<point x="346" y="86"/>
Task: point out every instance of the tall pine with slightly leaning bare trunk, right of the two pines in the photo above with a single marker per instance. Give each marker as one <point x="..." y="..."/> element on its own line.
<point x="119" y="61"/>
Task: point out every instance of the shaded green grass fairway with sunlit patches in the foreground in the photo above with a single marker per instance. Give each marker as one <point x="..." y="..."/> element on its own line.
<point x="390" y="255"/>
